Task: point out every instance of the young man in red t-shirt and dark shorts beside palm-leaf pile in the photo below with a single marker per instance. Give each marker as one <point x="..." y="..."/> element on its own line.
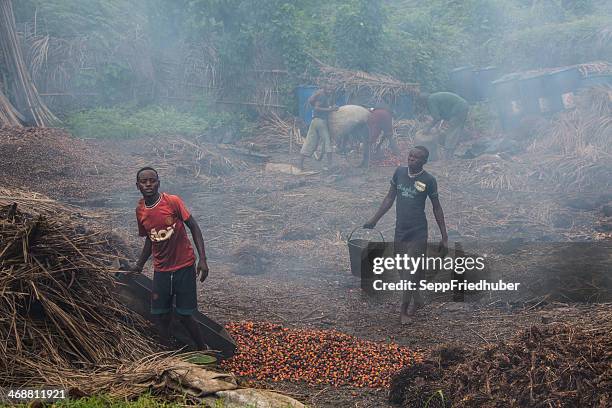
<point x="161" y="220"/>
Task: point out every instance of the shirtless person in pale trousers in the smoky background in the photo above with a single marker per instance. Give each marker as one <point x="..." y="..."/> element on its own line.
<point x="318" y="131"/>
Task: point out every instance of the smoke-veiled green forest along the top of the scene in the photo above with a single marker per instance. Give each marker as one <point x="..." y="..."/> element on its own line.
<point x="130" y="67"/>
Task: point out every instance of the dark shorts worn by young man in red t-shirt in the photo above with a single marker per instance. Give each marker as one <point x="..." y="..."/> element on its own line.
<point x="181" y="283"/>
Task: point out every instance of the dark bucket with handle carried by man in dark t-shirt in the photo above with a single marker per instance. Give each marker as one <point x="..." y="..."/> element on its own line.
<point x="361" y="254"/>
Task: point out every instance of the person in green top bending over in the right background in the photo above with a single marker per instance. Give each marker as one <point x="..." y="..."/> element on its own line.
<point x="451" y="108"/>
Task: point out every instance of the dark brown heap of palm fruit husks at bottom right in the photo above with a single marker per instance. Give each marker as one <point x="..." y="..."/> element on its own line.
<point x="554" y="365"/>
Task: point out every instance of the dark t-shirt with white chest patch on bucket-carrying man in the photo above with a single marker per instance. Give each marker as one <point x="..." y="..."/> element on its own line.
<point x="410" y="218"/>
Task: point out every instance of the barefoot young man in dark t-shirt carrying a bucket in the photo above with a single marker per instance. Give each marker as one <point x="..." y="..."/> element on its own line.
<point x="411" y="186"/>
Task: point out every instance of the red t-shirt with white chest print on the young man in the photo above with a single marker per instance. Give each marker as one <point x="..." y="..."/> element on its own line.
<point x="164" y="225"/>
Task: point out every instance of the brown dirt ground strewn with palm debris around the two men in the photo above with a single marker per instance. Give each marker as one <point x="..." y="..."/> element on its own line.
<point x="296" y="227"/>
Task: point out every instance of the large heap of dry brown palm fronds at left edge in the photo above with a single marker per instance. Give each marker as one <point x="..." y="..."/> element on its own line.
<point x="58" y="309"/>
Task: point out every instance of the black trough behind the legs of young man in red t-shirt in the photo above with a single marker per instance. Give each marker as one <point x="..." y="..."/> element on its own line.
<point x="135" y="292"/>
